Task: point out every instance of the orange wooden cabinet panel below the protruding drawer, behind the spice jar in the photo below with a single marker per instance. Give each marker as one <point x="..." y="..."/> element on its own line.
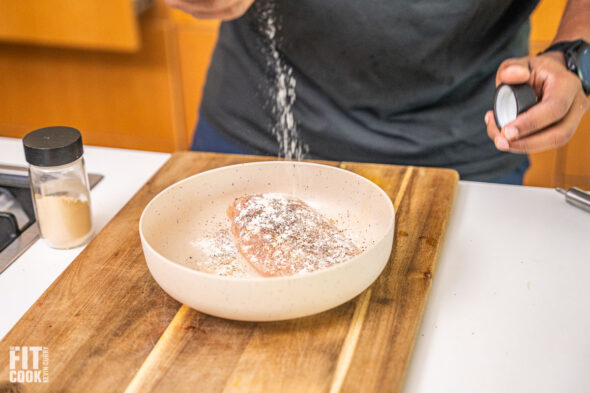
<point x="131" y="100"/>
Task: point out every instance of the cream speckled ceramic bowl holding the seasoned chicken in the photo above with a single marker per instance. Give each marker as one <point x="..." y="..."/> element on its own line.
<point x="195" y="206"/>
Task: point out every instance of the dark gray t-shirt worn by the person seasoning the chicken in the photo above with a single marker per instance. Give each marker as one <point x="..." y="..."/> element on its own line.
<point x="401" y="82"/>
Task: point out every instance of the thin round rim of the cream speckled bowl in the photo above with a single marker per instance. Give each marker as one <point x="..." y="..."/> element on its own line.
<point x="316" y="273"/>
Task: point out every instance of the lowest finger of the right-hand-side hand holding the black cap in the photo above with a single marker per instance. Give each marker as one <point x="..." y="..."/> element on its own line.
<point x="552" y="137"/>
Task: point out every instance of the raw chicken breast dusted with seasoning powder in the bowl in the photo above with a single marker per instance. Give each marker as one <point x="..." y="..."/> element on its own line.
<point x="280" y="235"/>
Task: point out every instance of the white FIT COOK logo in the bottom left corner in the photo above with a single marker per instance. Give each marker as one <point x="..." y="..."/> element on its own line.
<point x="29" y="364"/>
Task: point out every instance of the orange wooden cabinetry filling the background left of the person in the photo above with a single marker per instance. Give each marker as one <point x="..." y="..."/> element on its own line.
<point x="137" y="95"/>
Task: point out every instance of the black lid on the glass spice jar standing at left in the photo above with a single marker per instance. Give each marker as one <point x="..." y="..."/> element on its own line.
<point x="53" y="146"/>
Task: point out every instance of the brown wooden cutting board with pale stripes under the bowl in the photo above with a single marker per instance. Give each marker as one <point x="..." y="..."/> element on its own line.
<point x="109" y="327"/>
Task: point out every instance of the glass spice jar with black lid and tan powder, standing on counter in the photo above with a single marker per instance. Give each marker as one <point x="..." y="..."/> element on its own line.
<point x="59" y="185"/>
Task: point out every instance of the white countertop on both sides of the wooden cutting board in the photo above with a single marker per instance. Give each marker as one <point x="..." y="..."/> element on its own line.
<point x="509" y="309"/>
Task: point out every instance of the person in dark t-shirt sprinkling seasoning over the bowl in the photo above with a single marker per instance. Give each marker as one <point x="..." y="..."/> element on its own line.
<point x="393" y="81"/>
